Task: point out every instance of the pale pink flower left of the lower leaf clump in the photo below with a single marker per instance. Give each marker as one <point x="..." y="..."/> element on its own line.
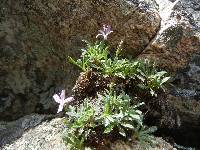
<point x="61" y="100"/>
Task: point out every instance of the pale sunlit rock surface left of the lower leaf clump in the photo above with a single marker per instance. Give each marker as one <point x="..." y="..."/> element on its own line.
<point x="45" y="136"/>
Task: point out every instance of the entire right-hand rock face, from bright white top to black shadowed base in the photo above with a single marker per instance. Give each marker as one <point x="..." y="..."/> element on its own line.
<point x="176" y="48"/>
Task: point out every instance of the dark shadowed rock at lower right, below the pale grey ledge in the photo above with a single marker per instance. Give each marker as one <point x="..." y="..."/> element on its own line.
<point x="188" y="132"/>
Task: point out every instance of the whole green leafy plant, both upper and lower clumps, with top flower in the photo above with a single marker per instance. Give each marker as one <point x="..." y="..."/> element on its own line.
<point x="110" y="112"/>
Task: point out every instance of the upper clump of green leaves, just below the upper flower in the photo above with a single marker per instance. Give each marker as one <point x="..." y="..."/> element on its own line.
<point x="97" y="57"/>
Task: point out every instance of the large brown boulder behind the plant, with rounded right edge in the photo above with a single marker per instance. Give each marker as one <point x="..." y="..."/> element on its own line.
<point x="37" y="36"/>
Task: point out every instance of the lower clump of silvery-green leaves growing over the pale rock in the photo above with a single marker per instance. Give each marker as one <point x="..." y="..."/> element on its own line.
<point x="106" y="113"/>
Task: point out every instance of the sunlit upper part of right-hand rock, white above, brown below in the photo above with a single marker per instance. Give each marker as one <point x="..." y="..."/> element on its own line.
<point x="179" y="36"/>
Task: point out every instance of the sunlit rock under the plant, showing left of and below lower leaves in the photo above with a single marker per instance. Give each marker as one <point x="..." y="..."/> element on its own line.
<point x="48" y="135"/>
